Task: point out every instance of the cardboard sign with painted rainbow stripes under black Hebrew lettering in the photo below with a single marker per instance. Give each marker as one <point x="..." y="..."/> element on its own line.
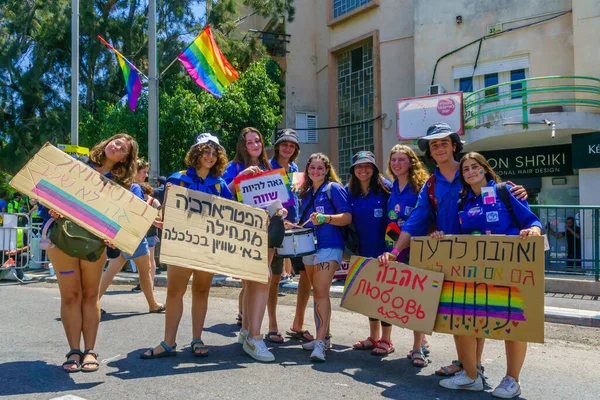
<point x="493" y="285"/>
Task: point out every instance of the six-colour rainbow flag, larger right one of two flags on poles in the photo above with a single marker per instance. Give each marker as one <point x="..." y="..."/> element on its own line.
<point x="206" y="64"/>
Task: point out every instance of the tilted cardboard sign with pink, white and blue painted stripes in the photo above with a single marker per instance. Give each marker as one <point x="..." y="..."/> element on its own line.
<point x="75" y="190"/>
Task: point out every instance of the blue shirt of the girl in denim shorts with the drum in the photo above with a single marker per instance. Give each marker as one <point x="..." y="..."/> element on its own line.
<point x="328" y="236"/>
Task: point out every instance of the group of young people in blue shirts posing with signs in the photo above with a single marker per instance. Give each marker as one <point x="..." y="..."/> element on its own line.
<point x="385" y="214"/>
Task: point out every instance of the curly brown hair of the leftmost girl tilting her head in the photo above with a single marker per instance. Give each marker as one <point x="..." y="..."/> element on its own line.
<point x="122" y="172"/>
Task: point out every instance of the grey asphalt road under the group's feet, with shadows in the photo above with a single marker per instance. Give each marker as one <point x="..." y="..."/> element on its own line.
<point x="32" y="345"/>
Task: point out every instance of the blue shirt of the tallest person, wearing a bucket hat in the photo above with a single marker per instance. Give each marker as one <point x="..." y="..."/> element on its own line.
<point x="447" y="195"/>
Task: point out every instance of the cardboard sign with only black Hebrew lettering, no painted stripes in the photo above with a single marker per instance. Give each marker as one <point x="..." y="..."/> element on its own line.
<point x="212" y="234"/>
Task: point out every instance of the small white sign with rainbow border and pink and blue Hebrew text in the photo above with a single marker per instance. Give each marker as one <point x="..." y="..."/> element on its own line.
<point x="262" y="189"/>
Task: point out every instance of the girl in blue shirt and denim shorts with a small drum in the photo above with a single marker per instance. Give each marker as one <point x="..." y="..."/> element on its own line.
<point x="324" y="207"/>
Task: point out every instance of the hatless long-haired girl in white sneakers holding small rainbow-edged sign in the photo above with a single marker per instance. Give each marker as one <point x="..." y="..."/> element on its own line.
<point x="250" y="159"/>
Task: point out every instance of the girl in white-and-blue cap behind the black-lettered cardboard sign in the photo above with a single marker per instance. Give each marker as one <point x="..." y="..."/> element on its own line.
<point x="206" y="161"/>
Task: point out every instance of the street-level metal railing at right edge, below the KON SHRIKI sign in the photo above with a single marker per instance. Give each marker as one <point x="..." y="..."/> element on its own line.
<point x="574" y="238"/>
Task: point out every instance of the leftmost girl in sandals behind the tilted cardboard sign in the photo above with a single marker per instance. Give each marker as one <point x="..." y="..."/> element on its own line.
<point x="78" y="278"/>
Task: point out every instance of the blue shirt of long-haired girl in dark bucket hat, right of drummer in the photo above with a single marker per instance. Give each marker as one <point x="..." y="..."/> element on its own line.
<point x="369" y="219"/>
